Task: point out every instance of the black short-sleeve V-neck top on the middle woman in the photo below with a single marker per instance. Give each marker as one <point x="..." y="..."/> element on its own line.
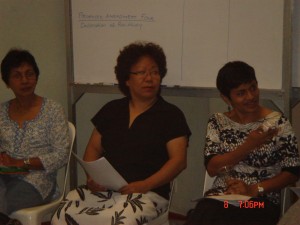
<point x="139" y="151"/>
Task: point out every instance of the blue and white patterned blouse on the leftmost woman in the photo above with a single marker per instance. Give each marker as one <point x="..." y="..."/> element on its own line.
<point x="45" y="137"/>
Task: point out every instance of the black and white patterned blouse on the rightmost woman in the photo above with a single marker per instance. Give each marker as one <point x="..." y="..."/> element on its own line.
<point x="281" y="153"/>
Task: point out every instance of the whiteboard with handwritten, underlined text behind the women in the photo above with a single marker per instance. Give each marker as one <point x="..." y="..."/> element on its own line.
<point x="198" y="37"/>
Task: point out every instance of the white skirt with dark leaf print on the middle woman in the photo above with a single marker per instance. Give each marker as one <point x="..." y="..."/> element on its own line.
<point x="105" y="208"/>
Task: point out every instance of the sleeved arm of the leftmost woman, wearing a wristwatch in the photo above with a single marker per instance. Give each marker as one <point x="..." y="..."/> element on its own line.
<point x="47" y="141"/>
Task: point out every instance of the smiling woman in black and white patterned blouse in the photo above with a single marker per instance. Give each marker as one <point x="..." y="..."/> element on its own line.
<point x="259" y="148"/>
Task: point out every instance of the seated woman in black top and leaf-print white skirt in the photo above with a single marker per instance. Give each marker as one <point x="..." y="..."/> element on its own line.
<point x="145" y="139"/>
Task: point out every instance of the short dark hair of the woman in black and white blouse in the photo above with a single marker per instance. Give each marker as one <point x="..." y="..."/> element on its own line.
<point x="232" y="75"/>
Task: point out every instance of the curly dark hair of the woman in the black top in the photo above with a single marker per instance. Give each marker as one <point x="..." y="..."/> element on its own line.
<point x="130" y="55"/>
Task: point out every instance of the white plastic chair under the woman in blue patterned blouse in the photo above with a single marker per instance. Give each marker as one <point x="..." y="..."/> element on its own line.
<point x="35" y="215"/>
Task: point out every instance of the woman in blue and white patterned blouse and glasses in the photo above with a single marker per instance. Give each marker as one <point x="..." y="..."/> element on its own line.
<point x="34" y="138"/>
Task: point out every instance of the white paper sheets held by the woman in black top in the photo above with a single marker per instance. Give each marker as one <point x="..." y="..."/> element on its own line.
<point x="102" y="172"/>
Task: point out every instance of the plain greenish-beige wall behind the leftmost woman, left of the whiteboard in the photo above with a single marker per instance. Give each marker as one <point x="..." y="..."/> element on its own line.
<point x="38" y="26"/>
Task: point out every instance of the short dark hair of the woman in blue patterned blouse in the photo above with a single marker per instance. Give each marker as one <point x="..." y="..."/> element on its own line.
<point x="15" y="58"/>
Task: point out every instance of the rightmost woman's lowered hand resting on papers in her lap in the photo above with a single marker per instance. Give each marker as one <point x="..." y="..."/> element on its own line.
<point x="240" y="187"/>
